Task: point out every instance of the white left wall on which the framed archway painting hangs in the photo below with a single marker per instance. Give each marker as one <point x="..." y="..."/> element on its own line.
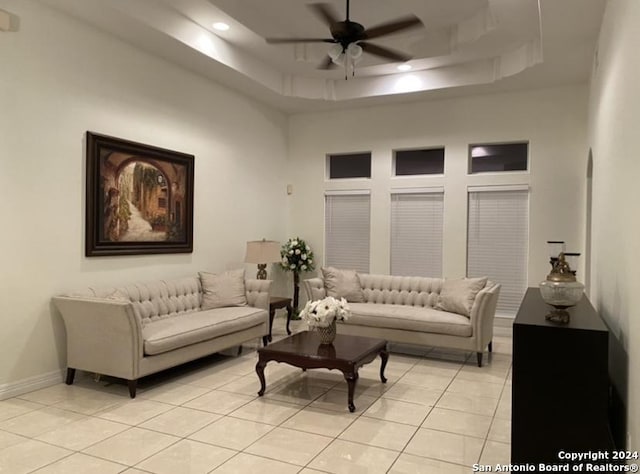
<point x="59" y="78"/>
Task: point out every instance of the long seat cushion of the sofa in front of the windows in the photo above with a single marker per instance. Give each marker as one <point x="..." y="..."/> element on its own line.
<point x="409" y="318"/>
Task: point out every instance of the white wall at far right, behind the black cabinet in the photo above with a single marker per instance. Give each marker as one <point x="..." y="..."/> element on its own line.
<point x="615" y="141"/>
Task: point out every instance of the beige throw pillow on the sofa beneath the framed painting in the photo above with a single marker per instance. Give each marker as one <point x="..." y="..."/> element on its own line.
<point x="225" y="289"/>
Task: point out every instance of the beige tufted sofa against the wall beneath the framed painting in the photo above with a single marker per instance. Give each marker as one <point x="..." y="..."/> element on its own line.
<point x="136" y="330"/>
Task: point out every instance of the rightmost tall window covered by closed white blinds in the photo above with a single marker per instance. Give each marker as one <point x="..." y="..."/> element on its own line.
<point x="498" y="238"/>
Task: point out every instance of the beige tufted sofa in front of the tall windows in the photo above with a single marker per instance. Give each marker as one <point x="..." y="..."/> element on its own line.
<point x="403" y="309"/>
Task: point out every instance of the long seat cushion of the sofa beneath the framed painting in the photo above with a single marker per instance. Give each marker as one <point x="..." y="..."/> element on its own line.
<point x="167" y="334"/>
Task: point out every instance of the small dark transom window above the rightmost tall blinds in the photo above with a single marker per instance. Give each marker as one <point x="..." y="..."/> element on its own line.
<point x="498" y="157"/>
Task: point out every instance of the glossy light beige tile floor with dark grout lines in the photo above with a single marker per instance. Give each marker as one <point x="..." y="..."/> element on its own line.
<point x="438" y="413"/>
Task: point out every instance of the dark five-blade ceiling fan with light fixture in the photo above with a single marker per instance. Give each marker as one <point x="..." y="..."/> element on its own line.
<point x="351" y="38"/>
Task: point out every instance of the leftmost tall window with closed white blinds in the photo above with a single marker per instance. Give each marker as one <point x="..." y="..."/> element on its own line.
<point x="347" y="230"/>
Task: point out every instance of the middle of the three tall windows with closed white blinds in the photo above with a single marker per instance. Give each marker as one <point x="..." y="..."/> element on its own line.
<point x="416" y="233"/>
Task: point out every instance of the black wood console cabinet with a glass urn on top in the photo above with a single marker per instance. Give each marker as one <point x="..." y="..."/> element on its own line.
<point x="560" y="395"/>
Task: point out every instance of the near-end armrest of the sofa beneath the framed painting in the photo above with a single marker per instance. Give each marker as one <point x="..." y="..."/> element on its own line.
<point x="103" y="335"/>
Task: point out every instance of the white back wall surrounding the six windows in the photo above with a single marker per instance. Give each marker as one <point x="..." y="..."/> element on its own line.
<point x="552" y="120"/>
